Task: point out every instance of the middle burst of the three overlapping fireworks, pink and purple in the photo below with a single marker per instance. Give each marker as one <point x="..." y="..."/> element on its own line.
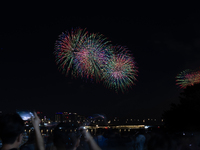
<point x="92" y="56"/>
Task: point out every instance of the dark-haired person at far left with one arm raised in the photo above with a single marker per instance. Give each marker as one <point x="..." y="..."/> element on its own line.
<point x="12" y="129"/>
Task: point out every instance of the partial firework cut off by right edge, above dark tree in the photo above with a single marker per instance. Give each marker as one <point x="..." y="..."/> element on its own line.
<point x="188" y="78"/>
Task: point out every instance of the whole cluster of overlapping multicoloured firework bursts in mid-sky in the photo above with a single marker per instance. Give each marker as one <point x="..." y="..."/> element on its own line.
<point x="92" y="56"/>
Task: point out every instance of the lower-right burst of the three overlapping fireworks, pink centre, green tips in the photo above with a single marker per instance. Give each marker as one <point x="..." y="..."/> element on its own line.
<point x="120" y="71"/>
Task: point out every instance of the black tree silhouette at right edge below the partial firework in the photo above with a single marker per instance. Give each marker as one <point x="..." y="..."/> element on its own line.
<point x="185" y="115"/>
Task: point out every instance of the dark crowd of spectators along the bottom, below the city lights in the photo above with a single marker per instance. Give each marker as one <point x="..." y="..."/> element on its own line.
<point x="70" y="136"/>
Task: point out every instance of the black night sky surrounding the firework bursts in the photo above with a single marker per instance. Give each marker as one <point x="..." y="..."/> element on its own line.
<point x="163" y="42"/>
